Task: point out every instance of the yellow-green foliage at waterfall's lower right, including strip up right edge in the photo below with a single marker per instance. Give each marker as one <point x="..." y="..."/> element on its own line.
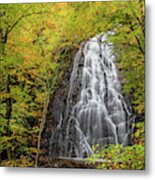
<point x="119" y="157"/>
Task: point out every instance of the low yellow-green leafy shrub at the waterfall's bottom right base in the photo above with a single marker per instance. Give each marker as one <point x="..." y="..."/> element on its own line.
<point x="119" y="157"/>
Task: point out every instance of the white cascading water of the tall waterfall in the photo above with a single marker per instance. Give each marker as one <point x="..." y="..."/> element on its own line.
<point x="98" y="113"/>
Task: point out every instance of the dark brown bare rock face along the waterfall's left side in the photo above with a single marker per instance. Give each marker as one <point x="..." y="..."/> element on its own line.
<point x="56" y="108"/>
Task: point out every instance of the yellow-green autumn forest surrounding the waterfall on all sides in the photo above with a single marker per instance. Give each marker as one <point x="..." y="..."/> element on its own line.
<point x="37" y="45"/>
